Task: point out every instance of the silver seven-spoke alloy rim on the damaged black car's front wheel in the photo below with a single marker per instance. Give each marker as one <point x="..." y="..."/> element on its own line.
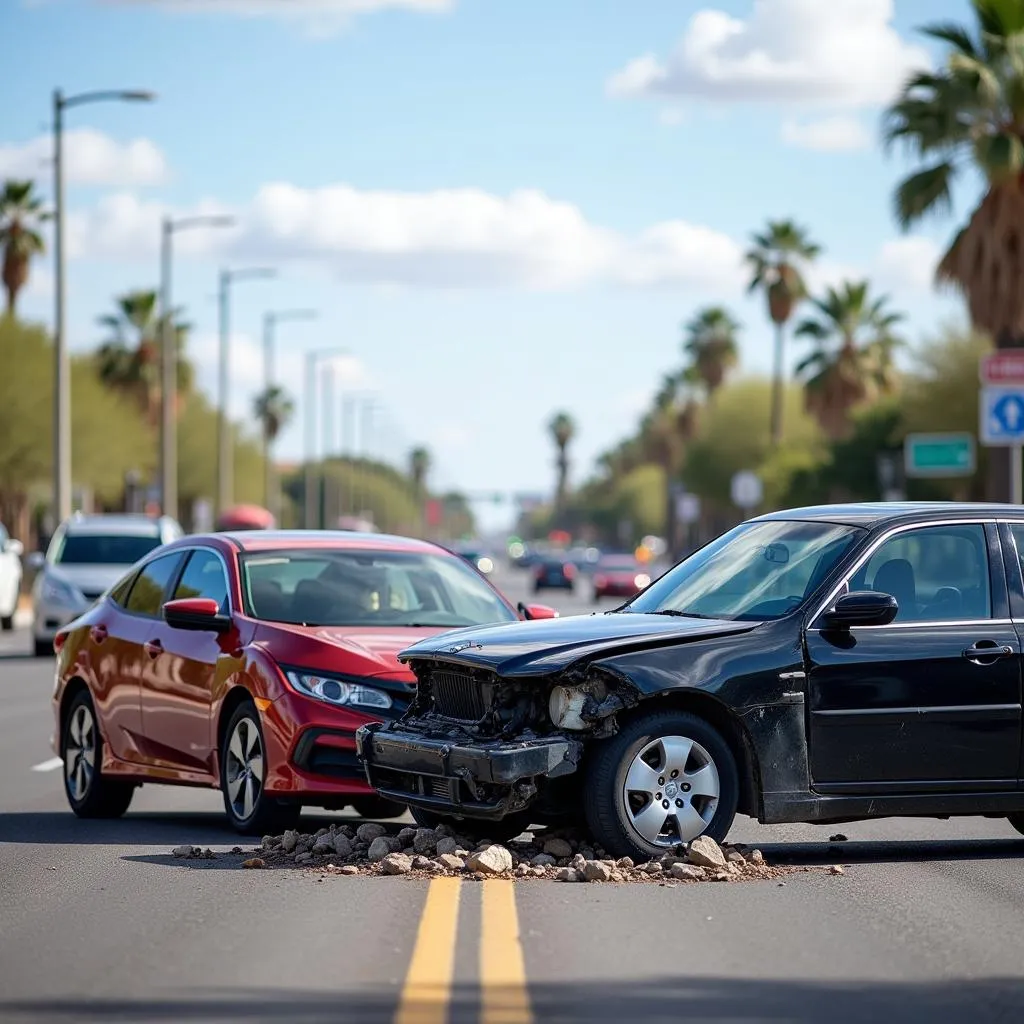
<point x="672" y="791"/>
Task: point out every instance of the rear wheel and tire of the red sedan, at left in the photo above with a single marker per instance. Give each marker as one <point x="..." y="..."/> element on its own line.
<point x="91" y="794"/>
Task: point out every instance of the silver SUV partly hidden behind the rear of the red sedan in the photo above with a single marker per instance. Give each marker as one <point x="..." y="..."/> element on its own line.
<point x="88" y="556"/>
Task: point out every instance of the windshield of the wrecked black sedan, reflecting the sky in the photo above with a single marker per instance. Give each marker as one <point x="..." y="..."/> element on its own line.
<point x="760" y="571"/>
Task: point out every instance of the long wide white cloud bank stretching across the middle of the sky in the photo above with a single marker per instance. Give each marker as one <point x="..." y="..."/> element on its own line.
<point x="448" y="239"/>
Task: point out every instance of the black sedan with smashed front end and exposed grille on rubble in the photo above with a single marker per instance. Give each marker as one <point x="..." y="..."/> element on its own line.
<point x="822" y="665"/>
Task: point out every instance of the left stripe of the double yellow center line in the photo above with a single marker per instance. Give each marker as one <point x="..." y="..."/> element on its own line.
<point x="428" y="992"/>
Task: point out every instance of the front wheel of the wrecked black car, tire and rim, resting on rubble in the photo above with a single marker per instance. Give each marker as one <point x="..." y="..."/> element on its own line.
<point x="612" y="812"/>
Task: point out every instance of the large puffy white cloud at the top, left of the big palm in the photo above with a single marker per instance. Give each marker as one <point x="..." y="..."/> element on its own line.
<point x="821" y="53"/>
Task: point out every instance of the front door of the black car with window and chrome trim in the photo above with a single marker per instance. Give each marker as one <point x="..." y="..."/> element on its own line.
<point x="932" y="702"/>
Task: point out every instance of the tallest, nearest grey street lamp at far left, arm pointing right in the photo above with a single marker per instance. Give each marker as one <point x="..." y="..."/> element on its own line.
<point x="62" y="372"/>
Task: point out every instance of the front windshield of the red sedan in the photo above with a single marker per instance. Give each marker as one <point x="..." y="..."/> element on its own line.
<point x="352" y="587"/>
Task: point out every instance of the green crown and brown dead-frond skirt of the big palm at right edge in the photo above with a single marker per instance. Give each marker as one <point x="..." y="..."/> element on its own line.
<point x="969" y="116"/>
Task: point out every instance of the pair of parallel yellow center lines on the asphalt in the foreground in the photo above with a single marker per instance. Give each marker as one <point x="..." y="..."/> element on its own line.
<point x="426" y="995"/>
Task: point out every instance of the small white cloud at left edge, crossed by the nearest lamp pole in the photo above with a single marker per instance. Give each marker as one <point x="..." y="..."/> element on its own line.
<point x="91" y="159"/>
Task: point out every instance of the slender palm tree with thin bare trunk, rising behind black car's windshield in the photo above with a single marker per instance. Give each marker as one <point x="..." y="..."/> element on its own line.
<point x="780" y="254"/>
